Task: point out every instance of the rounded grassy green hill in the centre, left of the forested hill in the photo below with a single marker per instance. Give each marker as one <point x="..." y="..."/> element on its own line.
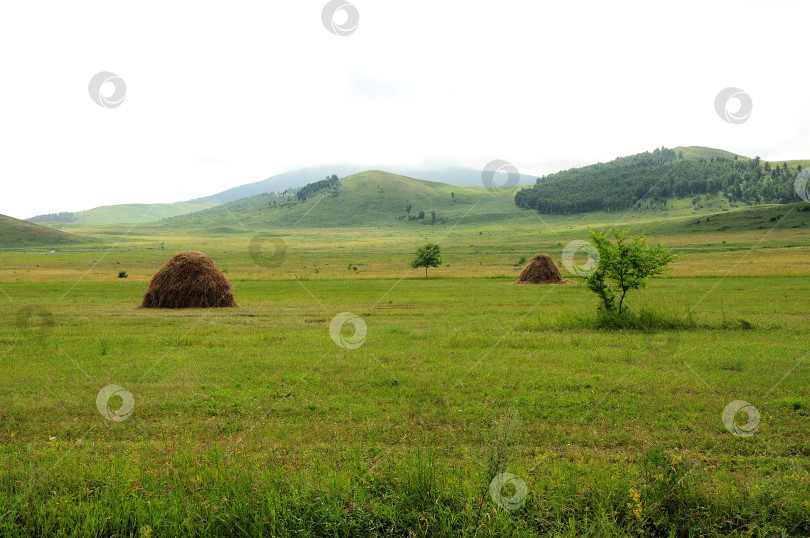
<point x="371" y="198"/>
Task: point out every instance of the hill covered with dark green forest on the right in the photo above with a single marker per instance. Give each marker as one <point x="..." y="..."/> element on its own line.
<point x="656" y="176"/>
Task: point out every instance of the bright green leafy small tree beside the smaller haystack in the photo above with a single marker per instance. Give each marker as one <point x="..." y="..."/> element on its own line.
<point x="627" y="263"/>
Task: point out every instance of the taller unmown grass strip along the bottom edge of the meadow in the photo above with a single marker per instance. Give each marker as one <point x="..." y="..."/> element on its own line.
<point x="664" y="495"/>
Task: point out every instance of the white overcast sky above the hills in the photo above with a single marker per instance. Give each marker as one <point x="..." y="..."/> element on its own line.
<point x="221" y="94"/>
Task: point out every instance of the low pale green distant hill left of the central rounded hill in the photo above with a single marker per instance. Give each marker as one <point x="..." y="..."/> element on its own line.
<point x="125" y="213"/>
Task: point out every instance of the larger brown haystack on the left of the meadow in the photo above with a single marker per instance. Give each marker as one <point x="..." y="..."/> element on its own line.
<point x="189" y="280"/>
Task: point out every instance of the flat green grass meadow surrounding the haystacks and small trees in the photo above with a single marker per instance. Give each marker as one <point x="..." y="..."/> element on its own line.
<point x="255" y="422"/>
